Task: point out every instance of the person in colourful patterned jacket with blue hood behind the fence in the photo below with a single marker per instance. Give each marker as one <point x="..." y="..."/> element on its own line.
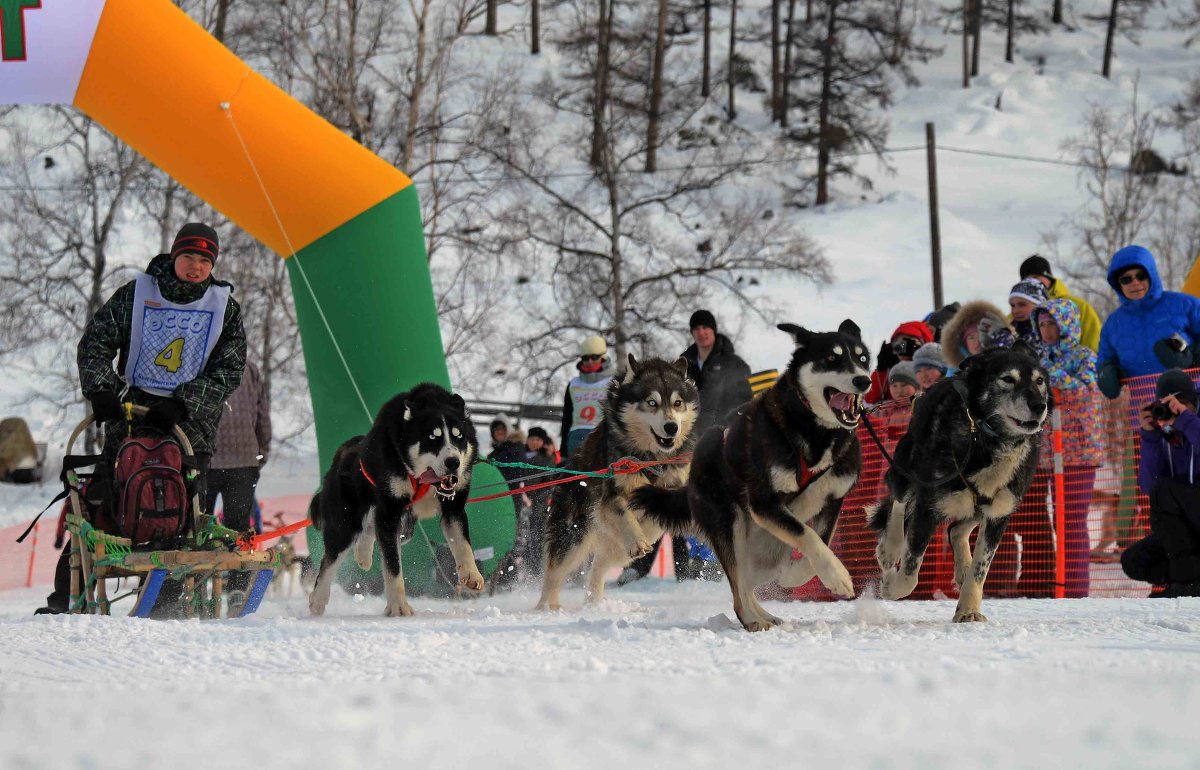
<point x="1072" y="368"/>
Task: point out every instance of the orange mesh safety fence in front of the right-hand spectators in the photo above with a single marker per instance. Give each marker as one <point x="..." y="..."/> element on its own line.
<point x="1065" y="538"/>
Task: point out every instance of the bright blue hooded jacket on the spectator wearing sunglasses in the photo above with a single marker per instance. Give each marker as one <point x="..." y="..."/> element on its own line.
<point x="1130" y="334"/>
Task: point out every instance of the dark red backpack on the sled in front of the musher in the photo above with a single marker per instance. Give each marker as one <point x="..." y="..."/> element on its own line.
<point x="149" y="491"/>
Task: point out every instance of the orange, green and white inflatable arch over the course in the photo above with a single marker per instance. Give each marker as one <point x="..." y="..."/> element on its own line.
<point x="347" y="222"/>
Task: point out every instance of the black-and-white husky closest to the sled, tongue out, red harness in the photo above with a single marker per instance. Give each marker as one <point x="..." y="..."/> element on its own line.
<point x="413" y="465"/>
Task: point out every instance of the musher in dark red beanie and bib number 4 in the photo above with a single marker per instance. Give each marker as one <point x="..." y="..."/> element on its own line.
<point x="183" y="380"/>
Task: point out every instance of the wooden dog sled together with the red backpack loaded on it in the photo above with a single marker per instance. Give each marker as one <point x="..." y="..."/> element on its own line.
<point x="142" y="518"/>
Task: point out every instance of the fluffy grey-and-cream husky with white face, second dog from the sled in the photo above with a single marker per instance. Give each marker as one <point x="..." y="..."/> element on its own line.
<point x="649" y="414"/>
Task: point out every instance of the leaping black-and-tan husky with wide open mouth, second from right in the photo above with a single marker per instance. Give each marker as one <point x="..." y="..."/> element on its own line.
<point x="775" y="480"/>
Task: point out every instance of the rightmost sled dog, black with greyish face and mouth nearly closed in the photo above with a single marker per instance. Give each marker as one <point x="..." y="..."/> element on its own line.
<point x="969" y="458"/>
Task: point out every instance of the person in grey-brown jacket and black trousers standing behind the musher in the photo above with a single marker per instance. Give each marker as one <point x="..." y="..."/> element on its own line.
<point x="244" y="442"/>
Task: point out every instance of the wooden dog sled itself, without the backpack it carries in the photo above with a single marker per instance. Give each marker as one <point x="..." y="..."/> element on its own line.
<point x="197" y="560"/>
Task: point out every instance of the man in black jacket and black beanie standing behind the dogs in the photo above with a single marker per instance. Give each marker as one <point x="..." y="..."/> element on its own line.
<point x="722" y="377"/>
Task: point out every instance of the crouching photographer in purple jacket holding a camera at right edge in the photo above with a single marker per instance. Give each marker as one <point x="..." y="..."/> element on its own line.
<point x="1171" y="442"/>
